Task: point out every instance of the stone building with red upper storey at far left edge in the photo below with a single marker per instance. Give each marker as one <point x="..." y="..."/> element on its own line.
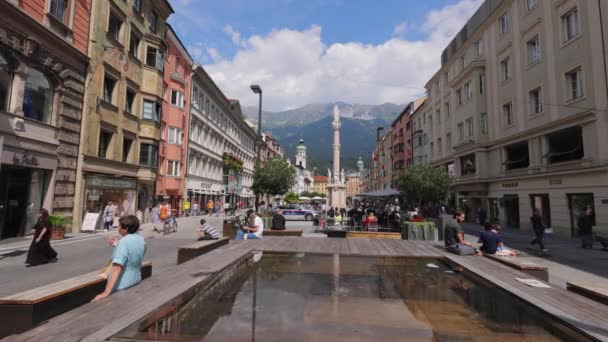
<point x="43" y="67"/>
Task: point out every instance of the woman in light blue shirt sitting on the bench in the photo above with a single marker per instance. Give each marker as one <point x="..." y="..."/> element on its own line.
<point x="126" y="258"/>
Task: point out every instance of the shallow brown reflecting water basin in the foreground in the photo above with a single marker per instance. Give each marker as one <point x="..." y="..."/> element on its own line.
<point x="295" y="297"/>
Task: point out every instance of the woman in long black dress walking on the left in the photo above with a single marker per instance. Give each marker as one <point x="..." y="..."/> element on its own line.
<point x="40" y="251"/>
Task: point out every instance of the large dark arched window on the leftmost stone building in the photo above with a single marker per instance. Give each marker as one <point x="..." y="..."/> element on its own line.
<point x="38" y="96"/>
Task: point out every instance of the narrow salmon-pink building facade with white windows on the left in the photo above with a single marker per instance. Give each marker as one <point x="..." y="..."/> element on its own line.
<point x="171" y="179"/>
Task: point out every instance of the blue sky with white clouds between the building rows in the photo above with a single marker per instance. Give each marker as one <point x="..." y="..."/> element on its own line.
<point x="319" y="51"/>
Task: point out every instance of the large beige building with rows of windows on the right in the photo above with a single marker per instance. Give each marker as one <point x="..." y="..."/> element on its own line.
<point x="520" y="113"/>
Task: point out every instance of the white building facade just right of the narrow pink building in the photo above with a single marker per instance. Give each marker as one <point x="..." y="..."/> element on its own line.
<point x="221" y="145"/>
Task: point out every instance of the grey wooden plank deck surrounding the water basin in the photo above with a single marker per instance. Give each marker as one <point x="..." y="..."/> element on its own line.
<point x="101" y="320"/>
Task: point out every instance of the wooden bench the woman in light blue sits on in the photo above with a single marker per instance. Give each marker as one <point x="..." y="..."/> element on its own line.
<point x="22" y="311"/>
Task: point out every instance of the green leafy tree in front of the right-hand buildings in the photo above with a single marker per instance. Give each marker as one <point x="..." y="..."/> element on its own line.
<point x="424" y="184"/>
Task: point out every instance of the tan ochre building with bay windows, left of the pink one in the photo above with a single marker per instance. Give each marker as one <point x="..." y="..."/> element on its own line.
<point x="119" y="150"/>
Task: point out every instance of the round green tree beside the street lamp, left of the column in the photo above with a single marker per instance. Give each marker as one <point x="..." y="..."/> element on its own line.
<point x="274" y="176"/>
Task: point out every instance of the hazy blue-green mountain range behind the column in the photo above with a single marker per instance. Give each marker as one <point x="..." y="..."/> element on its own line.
<point x="313" y="124"/>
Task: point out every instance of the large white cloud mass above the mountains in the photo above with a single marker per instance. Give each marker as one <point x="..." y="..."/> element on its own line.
<point x="295" y="67"/>
